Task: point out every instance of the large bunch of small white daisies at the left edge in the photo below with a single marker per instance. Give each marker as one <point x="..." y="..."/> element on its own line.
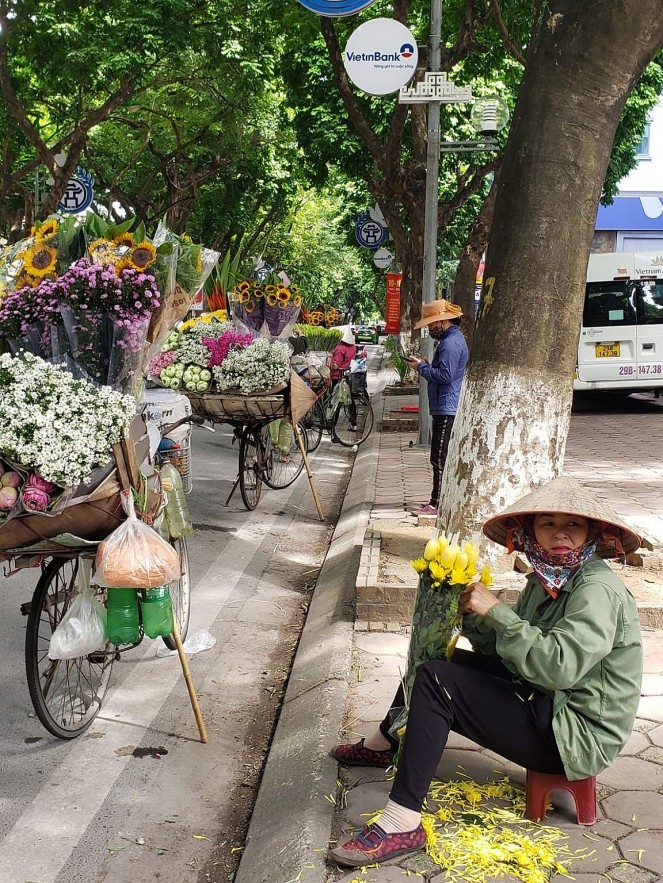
<point x="55" y="426"/>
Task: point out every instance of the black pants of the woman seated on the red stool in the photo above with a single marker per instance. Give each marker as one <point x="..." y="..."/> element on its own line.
<point x="476" y="696"/>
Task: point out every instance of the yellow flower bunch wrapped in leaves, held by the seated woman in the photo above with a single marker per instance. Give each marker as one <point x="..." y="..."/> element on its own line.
<point x="444" y="570"/>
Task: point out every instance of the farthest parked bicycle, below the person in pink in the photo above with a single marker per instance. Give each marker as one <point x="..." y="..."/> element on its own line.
<point x="348" y="423"/>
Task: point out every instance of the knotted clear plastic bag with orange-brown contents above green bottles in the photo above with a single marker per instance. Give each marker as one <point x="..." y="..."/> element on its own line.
<point x="135" y="556"/>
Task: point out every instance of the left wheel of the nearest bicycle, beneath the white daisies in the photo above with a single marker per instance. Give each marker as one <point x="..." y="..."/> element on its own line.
<point x="66" y="693"/>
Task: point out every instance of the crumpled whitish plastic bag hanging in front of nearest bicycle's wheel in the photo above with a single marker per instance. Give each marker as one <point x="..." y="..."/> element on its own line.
<point x="82" y="629"/>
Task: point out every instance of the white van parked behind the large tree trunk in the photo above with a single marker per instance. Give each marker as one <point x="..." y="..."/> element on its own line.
<point x="621" y="338"/>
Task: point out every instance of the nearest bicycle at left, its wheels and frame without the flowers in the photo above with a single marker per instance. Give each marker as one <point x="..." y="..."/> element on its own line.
<point x="67" y="693"/>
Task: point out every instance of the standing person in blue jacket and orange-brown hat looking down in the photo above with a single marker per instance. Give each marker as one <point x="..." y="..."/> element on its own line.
<point x="445" y="377"/>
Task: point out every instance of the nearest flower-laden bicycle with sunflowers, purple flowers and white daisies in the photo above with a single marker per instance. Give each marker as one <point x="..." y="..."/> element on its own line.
<point x="84" y="306"/>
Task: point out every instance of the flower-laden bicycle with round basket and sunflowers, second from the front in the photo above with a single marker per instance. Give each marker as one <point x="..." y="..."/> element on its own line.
<point x="240" y="373"/>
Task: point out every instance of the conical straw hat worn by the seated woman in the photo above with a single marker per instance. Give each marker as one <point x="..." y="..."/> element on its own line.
<point x="565" y="494"/>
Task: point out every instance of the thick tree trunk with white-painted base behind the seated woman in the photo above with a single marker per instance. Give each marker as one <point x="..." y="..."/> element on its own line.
<point x="513" y="418"/>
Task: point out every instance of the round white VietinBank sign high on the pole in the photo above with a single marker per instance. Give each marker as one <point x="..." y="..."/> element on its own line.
<point x="381" y="56"/>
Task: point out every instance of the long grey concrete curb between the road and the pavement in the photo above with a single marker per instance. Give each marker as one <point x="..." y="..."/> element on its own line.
<point x="291" y="822"/>
